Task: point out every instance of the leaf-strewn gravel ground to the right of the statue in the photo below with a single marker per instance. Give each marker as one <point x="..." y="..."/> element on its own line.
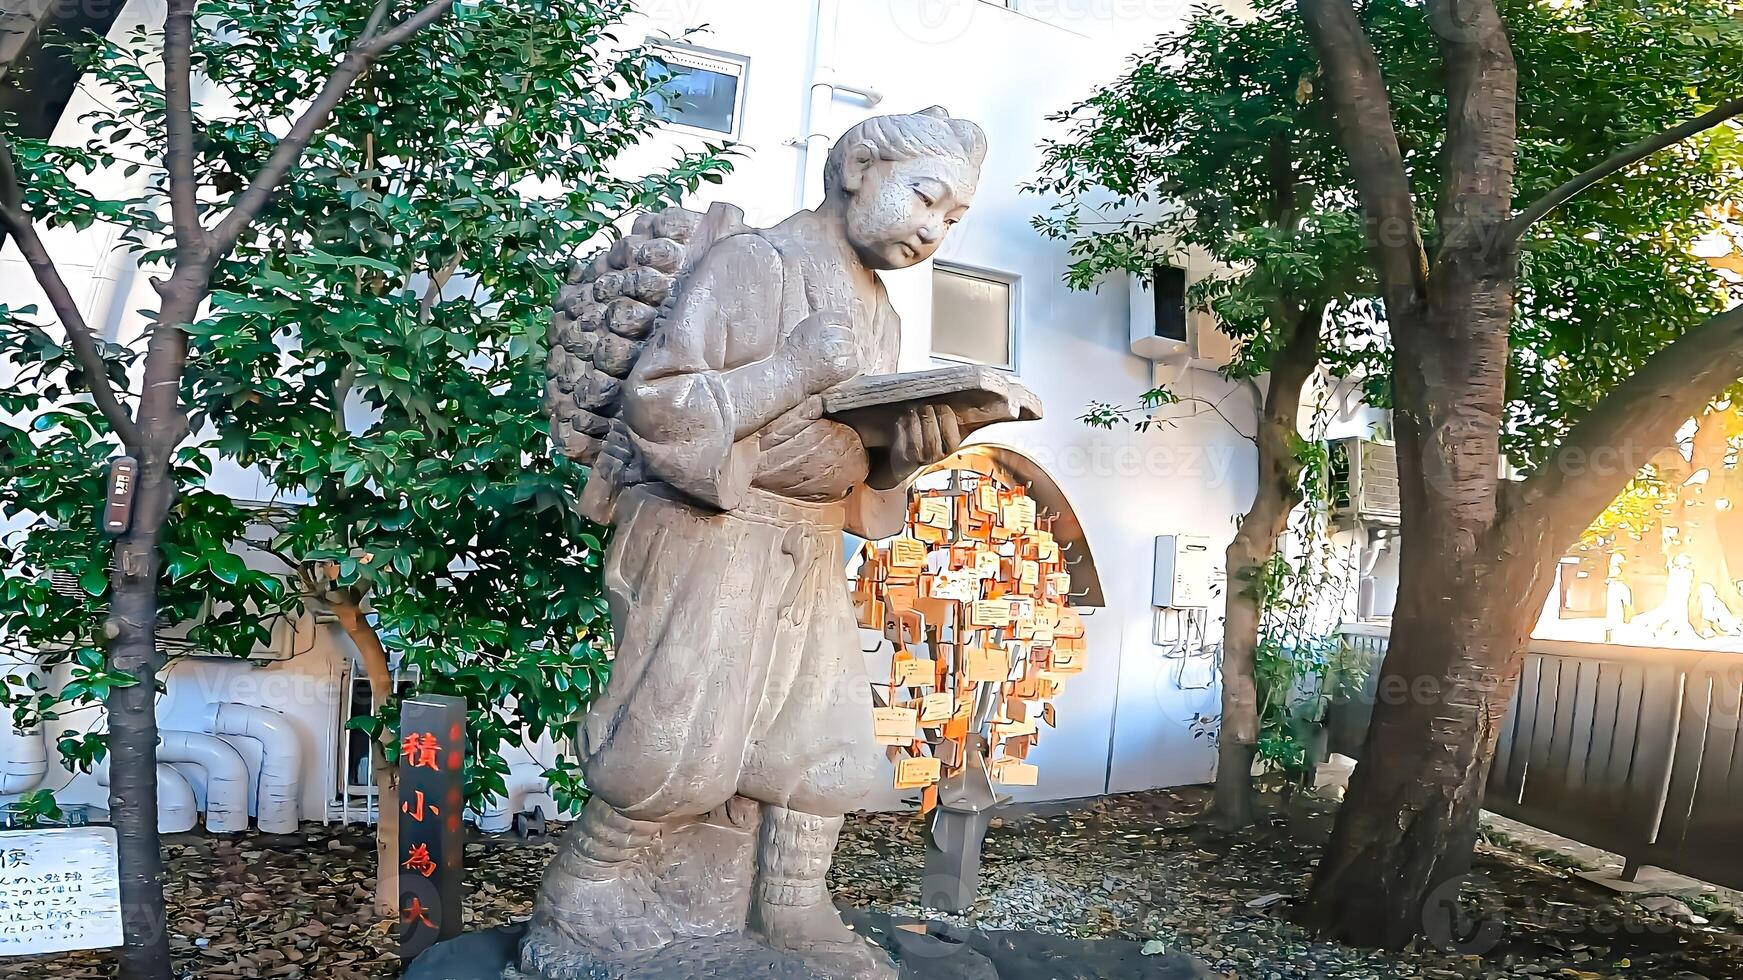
<point x="1150" y="869"/>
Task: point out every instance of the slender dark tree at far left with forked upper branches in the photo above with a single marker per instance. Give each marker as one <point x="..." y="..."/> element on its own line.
<point x="200" y="233"/>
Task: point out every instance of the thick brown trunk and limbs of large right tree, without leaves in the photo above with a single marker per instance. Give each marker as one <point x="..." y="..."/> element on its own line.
<point x="1477" y="554"/>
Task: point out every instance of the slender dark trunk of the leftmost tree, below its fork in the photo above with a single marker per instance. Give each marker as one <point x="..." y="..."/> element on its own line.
<point x="133" y="728"/>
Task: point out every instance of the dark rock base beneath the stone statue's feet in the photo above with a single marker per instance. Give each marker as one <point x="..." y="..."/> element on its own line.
<point x="942" y="953"/>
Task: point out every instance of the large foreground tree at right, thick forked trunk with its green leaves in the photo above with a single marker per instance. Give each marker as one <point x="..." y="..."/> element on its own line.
<point x="1533" y="262"/>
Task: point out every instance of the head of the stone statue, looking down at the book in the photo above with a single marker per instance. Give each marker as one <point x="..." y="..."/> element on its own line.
<point x="902" y="182"/>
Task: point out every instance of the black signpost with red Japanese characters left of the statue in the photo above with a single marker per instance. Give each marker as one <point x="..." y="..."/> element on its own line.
<point x="431" y="831"/>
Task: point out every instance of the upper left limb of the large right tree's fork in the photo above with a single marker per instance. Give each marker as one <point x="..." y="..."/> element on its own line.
<point x="1366" y="130"/>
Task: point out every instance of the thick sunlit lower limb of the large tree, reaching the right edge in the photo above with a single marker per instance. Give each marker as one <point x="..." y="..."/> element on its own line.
<point x="1627" y="430"/>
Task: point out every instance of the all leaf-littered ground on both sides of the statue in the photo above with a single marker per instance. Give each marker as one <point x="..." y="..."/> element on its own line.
<point x="1141" y="868"/>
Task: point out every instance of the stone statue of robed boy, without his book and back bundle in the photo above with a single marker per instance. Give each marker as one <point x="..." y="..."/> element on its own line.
<point x="736" y="730"/>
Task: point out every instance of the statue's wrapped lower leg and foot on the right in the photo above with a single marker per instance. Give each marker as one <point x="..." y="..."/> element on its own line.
<point x="792" y="908"/>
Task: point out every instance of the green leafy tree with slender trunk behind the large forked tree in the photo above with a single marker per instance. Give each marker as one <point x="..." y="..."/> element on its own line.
<point x="1223" y="140"/>
